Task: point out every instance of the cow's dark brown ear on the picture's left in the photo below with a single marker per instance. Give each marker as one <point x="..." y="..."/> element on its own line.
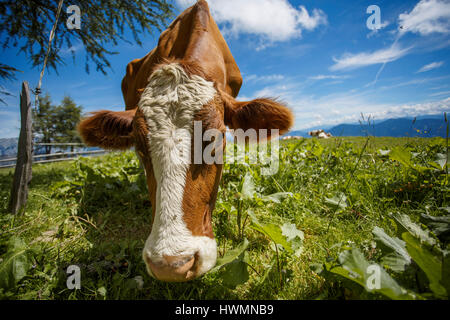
<point x="108" y="129"/>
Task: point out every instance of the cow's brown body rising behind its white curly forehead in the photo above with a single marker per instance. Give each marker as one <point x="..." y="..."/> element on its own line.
<point x="194" y="38"/>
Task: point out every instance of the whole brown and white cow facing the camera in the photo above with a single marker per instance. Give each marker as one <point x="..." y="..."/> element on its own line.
<point x="190" y="76"/>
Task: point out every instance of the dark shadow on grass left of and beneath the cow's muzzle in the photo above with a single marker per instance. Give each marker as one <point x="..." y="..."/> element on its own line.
<point x="120" y="216"/>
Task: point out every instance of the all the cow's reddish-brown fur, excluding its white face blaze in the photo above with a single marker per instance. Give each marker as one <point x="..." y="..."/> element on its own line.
<point x="193" y="41"/>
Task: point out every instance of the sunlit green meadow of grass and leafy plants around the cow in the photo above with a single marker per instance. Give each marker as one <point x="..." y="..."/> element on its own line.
<point x="335" y="210"/>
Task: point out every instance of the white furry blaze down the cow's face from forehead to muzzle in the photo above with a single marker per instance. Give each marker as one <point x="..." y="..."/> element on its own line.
<point x="169" y="104"/>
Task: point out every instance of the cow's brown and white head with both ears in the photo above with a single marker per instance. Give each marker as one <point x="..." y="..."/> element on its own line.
<point x="181" y="244"/>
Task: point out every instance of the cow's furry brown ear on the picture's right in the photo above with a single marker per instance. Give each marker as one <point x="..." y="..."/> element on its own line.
<point x="257" y="114"/>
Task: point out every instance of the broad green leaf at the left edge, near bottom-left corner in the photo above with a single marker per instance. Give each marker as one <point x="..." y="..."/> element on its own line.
<point x="15" y="264"/>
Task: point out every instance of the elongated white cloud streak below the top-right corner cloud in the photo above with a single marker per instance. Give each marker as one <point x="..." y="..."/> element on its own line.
<point x="363" y="59"/>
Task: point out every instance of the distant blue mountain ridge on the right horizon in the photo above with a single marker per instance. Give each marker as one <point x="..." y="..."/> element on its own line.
<point x="401" y="127"/>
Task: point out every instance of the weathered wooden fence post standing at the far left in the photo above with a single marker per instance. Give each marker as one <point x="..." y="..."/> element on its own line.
<point x="22" y="173"/>
